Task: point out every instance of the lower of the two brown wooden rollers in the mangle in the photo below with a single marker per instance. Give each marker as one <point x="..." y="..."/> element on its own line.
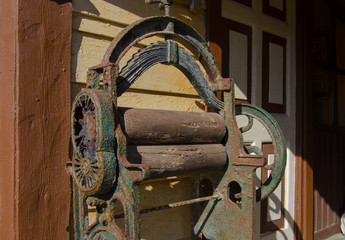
<point x="173" y="160"/>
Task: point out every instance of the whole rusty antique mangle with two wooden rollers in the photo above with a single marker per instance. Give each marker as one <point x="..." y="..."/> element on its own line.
<point x="114" y="149"/>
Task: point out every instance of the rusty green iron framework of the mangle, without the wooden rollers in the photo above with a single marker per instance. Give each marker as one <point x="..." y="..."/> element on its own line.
<point x="104" y="176"/>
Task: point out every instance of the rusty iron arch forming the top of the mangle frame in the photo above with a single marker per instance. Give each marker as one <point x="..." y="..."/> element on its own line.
<point x="170" y="28"/>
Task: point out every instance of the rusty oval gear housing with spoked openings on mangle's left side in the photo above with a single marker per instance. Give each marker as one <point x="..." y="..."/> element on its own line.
<point x="94" y="163"/>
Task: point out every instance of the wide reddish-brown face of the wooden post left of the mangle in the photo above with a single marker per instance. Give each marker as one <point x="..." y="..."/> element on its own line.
<point x="42" y="187"/>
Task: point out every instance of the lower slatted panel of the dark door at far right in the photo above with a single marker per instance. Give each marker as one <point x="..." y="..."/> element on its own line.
<point x="328" y="188"/>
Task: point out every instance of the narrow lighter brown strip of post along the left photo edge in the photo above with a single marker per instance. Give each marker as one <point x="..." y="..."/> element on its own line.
<point x="8" y="121"/>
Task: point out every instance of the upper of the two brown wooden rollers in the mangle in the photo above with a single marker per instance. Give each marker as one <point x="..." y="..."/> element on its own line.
<point x="145" y="126"/>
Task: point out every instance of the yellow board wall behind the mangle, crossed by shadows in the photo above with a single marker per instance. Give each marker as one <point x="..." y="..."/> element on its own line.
<point x="95" y="24"/>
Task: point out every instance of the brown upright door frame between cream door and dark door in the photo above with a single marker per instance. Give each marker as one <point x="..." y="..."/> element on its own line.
<point x="304" y="196"/>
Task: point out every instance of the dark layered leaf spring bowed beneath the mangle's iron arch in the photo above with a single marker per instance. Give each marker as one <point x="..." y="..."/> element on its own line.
<point x="170" y="53"/>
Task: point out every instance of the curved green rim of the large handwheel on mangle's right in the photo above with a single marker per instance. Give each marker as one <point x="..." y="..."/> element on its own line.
<point x="278" y="167"/>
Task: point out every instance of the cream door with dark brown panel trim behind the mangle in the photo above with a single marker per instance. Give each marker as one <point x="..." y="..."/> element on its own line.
<point x="255" y="43"/>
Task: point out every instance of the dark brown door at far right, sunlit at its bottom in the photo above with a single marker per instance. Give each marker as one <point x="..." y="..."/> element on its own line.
<point x="328" y="117"/>
